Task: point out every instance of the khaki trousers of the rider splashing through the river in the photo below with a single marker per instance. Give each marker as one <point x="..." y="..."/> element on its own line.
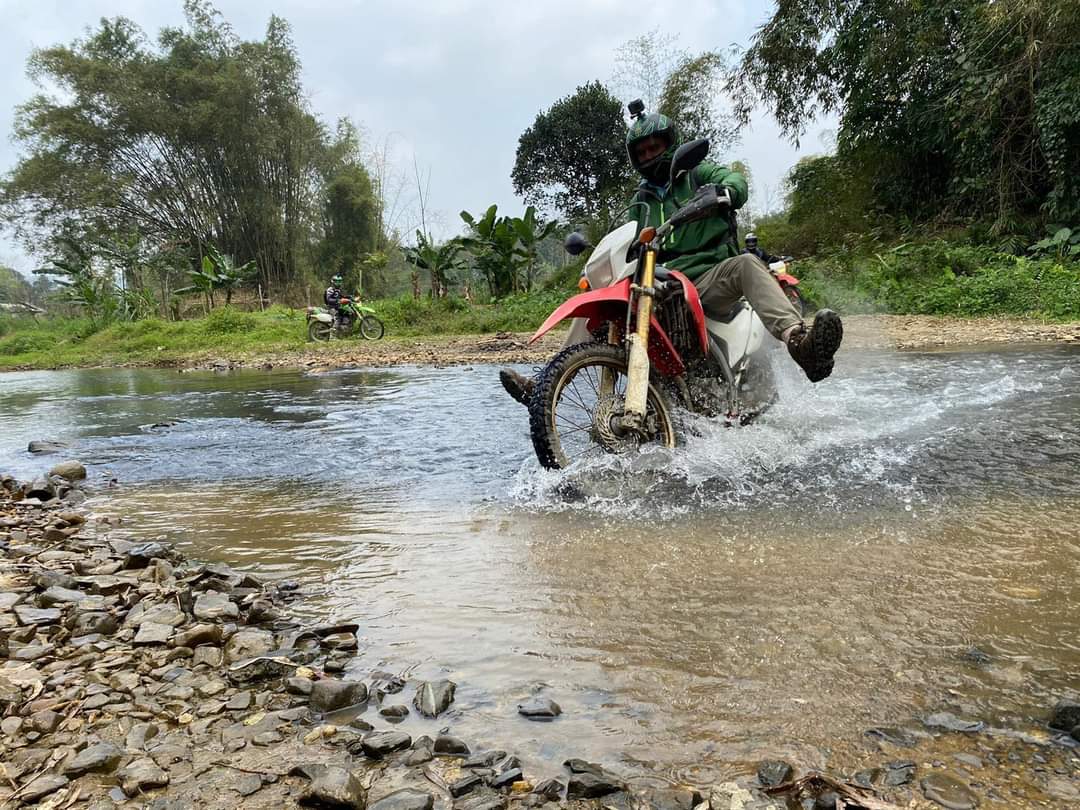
<point x="721" y="289"/>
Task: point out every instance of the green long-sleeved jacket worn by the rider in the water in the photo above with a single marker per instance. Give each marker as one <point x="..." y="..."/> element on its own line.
<point x="696" y="247"/>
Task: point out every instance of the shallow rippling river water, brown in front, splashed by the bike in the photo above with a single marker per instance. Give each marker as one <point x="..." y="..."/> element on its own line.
<point x="899" y="541"/>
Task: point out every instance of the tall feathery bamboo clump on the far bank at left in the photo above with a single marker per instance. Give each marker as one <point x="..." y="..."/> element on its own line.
<point x="194" y="139"/>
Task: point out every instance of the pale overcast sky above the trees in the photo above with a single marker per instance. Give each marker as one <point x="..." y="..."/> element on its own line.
<point x="453" y="82"/>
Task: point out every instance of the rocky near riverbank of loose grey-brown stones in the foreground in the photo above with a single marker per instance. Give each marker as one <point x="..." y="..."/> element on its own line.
<point x="134" y="678"/>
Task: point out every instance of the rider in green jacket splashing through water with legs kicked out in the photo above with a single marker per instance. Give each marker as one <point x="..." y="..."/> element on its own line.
<point x="708" y="253"/>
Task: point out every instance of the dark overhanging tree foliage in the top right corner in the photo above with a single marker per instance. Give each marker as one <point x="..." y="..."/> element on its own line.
<point x="956" y="109"/>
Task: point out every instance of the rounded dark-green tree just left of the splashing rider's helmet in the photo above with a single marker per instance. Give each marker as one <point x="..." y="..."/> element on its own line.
<point x="573" y="159"/>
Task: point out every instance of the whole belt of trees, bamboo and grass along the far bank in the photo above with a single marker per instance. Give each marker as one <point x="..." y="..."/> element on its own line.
<point x="183" y="197"/>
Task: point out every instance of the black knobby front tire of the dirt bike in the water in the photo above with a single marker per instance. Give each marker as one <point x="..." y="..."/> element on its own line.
<point x="552" y="384"/>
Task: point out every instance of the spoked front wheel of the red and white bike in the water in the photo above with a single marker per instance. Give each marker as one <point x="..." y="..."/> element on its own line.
<point x="578" y="402"/>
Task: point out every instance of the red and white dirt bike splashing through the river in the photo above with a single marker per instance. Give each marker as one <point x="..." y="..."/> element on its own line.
<point x="646" y="343"/>
